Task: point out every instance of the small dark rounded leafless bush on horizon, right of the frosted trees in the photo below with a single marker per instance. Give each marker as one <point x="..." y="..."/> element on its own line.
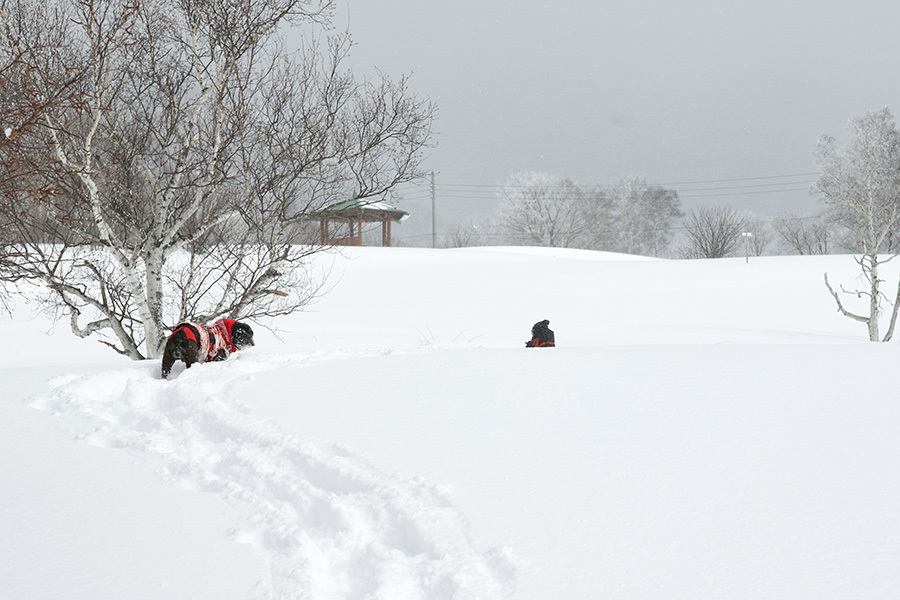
<point x="712" y="232"/>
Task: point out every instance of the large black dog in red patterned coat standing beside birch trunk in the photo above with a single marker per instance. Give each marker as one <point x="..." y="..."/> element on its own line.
<point x="192" y="343"/>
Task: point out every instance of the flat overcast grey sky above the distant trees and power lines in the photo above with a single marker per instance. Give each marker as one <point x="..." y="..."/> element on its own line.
<point x="699" y="90"/>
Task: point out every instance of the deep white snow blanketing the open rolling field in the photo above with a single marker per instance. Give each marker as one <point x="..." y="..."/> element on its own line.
<point x="704" y="429"/>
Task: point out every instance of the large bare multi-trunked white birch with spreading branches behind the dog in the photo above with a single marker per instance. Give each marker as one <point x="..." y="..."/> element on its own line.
<point x="173" y="179"/>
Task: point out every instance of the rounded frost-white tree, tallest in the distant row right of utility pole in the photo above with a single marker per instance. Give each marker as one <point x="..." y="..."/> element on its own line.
<point x="542" y="210"/>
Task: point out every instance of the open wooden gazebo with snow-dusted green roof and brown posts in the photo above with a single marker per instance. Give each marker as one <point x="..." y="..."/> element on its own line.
<point x="354" y="213"/>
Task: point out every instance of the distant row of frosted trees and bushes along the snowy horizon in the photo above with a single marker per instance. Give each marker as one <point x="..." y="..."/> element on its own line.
<point x="631" y="216"/>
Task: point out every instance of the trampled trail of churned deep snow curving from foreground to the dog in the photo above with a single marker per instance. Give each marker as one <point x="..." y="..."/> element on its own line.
<point x="329" y="524"/>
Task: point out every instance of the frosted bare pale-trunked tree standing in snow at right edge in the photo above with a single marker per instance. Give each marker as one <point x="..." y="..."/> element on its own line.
<point x="861" y="184"/>
